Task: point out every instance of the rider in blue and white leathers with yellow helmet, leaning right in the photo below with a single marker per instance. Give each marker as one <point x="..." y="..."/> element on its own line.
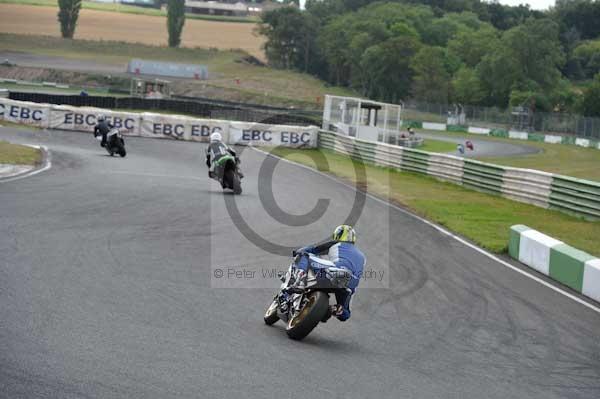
<point x="344" y="255"/>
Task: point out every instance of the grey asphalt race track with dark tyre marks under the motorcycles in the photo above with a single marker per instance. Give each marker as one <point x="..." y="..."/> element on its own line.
<point x="107" y="290"/>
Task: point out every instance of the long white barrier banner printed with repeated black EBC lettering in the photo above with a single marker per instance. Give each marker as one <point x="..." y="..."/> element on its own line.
<point x="147" y="124"/>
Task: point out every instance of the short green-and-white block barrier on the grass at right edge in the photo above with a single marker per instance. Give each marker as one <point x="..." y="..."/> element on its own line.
<point x="567" y="265"/>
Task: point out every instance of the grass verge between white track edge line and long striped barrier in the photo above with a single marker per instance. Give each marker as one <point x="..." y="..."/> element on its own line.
<point x="484" y="219"/>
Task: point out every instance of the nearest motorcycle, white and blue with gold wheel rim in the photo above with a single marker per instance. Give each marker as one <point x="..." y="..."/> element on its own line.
<point x="304" y="305"/>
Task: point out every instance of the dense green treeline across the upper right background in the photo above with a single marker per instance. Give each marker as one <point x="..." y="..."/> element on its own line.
<point x="464" y="51"/>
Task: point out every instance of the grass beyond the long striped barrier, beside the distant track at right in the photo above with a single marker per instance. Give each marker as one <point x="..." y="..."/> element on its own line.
<point x="563" y="159"/>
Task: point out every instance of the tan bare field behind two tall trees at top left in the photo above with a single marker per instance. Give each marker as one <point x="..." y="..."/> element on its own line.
<point x="99" y="25"/>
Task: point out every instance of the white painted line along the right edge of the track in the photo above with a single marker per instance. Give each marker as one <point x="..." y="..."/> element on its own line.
<point x="445" y="232"/>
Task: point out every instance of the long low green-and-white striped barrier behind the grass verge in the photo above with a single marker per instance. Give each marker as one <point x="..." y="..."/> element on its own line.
<point x="546" y="190"/>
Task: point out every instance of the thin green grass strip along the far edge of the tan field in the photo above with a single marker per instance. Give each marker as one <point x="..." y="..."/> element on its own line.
<point x="129" y="9"/>
